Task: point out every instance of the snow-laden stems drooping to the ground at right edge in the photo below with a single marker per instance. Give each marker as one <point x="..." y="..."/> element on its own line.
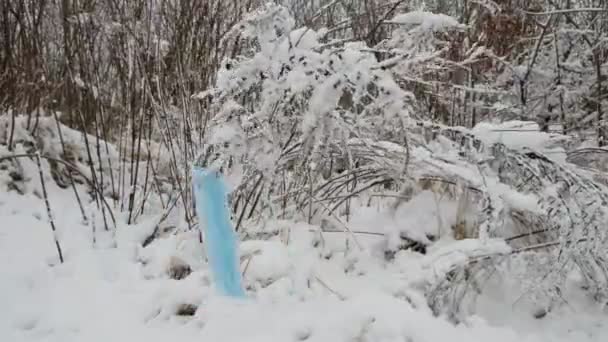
<point x="551" y="212"/>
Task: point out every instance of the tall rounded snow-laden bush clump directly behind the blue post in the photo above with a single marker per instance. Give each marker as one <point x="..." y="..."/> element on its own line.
<point x="286" y="104"/>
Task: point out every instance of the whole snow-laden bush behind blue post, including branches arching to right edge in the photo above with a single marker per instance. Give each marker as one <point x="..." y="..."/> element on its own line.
<point x="306" y="129"/>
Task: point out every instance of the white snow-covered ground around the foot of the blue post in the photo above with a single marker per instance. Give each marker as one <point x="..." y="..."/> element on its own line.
<point x="112" y="289"/>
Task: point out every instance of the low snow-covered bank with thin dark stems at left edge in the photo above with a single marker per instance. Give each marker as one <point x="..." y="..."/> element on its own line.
<point x="96" y="171"/>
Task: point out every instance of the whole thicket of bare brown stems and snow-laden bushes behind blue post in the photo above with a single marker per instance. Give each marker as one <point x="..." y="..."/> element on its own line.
<point x="314" y="103"/>
